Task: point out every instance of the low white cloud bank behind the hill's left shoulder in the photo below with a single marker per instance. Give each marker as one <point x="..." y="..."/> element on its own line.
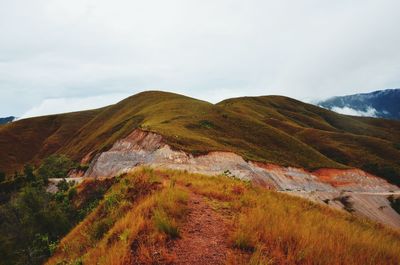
<point x="63" y="105"/>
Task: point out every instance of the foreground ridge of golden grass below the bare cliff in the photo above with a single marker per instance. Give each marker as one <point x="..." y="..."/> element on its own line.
<point x="143" y="218"/>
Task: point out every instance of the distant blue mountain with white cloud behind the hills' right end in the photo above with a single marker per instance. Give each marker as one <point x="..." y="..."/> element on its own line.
<point x="381" y="104"/>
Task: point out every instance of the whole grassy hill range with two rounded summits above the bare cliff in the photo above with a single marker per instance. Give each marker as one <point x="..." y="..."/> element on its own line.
<point x="270" y="129"/>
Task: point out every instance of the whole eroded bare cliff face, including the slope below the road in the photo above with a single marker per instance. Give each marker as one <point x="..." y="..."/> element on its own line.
<point x="351" y="189"/>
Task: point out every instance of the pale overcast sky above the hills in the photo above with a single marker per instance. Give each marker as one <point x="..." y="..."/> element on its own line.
<point x="66" y="55"/>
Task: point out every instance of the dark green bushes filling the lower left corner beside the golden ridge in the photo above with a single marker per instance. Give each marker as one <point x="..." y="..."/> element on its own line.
<point x="34" y="221"/>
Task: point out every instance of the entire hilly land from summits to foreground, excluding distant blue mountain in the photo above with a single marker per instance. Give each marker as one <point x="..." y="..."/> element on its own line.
<point x="161" y="178"/>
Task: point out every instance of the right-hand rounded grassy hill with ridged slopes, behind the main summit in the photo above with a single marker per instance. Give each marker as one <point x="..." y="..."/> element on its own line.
<point x="367" y="143"/>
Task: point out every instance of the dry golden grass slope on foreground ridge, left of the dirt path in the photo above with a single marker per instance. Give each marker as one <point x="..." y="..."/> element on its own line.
<point x="135" y="217"/>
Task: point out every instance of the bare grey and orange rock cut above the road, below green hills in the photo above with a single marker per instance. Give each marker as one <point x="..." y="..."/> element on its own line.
<point x="147" y="148"/>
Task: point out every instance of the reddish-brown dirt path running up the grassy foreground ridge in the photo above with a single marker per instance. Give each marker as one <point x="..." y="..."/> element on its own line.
<point x="204" y="237"/>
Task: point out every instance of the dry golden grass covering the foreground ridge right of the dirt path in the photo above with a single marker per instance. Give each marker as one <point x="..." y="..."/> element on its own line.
<point x="276" y="228"/>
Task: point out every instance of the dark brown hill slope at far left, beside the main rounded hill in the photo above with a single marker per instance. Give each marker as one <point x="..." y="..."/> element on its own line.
<point x="30" y="140"/>
